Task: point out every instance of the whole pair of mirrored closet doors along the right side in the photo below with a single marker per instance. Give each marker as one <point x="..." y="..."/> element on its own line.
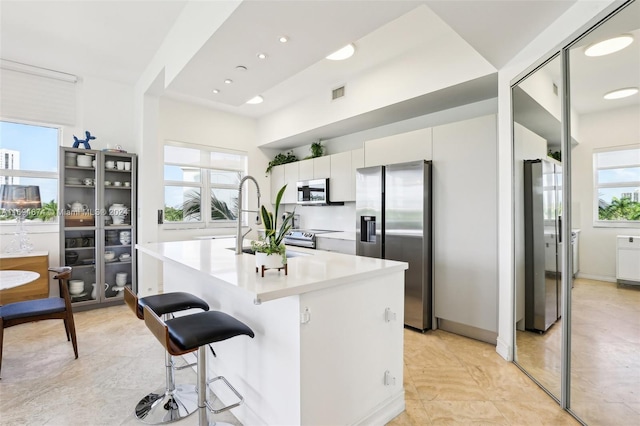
<point x="586" y="359"/>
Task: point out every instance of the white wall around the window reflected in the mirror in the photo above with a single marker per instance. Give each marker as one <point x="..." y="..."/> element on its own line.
<point x="597" y="245"/>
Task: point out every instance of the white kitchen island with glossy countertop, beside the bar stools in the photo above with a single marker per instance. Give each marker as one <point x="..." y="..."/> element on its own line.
<point x="328" y="348"/>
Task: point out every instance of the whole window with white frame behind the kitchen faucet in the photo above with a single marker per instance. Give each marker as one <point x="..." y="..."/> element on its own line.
<point x="201" y="184"/>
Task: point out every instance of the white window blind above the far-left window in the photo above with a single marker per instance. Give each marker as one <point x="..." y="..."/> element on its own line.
<point x="40" y="98"/>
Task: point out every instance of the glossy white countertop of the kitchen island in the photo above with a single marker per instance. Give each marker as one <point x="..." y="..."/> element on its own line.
<point x="317" y="271"/>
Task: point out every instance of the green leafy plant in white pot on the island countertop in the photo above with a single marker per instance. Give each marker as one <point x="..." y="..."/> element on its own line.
<point x="270" y="251"/>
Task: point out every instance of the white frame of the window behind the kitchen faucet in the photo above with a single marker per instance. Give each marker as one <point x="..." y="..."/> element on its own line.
<point x="205" y="185"/>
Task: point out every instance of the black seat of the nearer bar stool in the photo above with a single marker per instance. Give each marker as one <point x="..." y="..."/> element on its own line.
<point x="192" y="331"/>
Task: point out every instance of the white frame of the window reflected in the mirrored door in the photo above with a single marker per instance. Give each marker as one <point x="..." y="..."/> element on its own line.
<point x="597" y="222"/>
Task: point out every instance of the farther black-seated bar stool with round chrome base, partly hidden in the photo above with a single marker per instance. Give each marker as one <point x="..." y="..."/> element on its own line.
<point x="171" y="402"/>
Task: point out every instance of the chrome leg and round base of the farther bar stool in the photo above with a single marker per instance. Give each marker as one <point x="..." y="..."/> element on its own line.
<point x="170" y="403"/>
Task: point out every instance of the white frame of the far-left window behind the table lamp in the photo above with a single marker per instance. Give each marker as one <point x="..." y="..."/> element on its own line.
<point x="36" y="226"/>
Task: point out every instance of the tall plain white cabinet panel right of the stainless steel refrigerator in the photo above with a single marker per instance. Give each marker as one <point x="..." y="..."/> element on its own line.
<point x="465" y="203"/>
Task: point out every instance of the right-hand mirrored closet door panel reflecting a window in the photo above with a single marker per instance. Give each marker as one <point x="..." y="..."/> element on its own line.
<point x="605" y="186"/>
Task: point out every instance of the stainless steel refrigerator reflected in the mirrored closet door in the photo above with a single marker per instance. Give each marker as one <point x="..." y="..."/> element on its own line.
<point x="542" y="238"/>
